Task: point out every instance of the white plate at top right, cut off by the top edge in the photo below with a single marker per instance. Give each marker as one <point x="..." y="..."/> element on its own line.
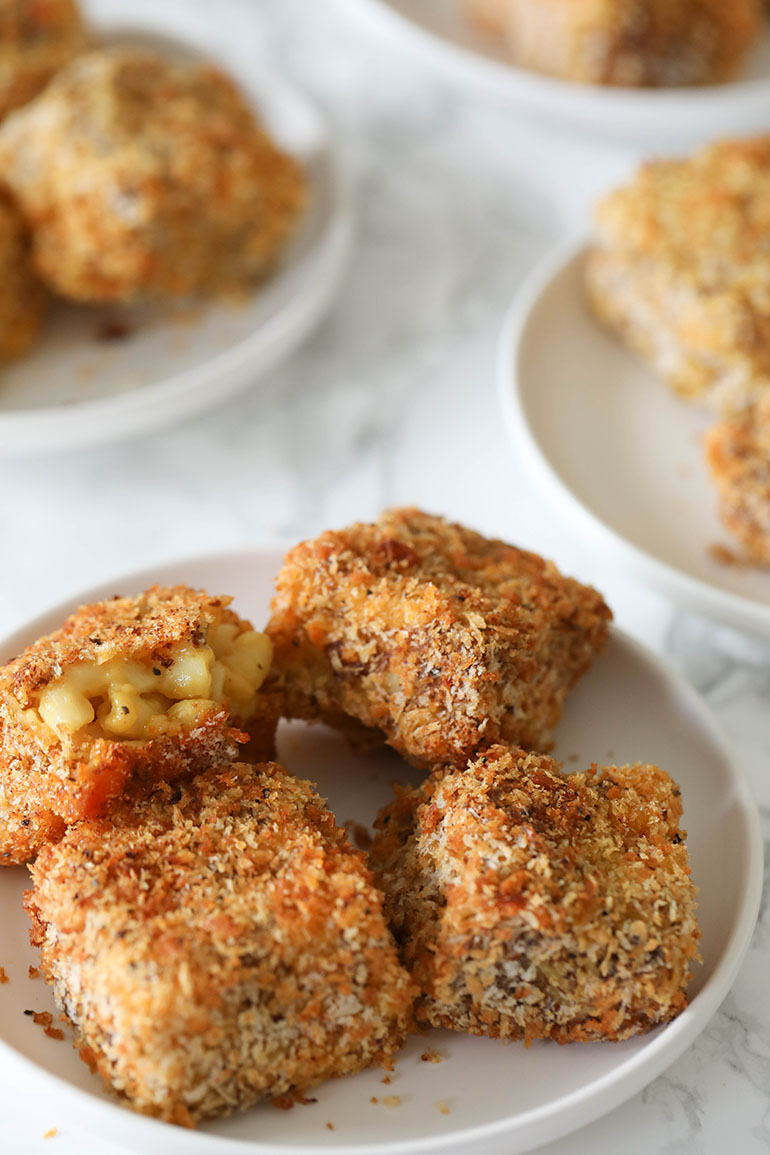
<point x="442" y="33"/>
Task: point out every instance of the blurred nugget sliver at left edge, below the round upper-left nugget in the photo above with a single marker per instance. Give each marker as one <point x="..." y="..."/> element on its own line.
<point x="24" y="300"/>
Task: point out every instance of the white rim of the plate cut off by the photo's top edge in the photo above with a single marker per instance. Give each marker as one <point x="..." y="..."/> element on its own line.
<point x="567" y="101"/>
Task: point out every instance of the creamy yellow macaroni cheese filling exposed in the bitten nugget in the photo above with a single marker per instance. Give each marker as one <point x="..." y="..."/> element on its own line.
<point x="133" y="699"/>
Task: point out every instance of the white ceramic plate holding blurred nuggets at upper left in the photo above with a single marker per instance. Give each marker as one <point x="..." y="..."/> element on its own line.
<point x="79" y="386"/>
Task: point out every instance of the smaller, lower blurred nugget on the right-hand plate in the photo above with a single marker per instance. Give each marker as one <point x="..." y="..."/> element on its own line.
<point x="738" y="456"/>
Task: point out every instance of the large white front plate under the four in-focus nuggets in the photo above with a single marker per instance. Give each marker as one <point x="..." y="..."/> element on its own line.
<point x="502" y="1099"/>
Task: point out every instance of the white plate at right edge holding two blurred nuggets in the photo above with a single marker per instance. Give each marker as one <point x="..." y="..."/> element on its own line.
<point x="616" y="451"/>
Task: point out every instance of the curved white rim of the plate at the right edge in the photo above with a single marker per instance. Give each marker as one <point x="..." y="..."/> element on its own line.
<point x="642" y="568"/>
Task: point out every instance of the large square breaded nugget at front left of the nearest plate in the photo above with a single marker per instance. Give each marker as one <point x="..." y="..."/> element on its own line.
<point x="216" y="943"/>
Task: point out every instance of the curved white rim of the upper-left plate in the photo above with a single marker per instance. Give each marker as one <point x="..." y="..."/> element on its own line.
<point x="227" y="372"/>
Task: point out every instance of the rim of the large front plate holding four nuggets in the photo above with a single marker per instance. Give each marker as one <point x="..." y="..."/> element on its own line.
<point x="577" y="1108"/>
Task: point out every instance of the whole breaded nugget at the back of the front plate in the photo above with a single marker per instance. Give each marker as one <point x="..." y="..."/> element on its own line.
<point x="440" y="639"/>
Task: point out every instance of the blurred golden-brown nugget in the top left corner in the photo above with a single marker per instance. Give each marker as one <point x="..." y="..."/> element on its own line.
<point x="38" y="39"/>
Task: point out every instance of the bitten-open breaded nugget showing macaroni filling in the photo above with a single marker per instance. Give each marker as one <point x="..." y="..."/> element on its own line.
<point x="145" y="687"/>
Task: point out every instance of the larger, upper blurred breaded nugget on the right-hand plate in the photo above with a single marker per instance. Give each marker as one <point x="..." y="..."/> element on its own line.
<point x="682" y="271"/>
